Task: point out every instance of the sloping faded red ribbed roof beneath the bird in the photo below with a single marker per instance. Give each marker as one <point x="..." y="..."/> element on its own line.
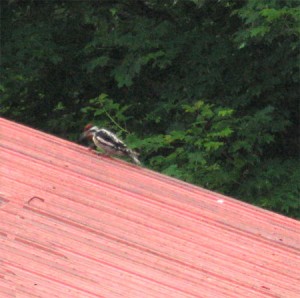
<point x="74" y="224"/>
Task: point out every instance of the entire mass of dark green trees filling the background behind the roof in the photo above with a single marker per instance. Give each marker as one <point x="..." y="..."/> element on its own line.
<point x="140" y="68"/>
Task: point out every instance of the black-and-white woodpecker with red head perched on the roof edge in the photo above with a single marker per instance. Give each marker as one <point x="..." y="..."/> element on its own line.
<point x="108" y="142"/>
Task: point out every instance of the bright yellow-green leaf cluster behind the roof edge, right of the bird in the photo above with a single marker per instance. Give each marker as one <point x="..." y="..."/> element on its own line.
<point x="193" y="152"/>
